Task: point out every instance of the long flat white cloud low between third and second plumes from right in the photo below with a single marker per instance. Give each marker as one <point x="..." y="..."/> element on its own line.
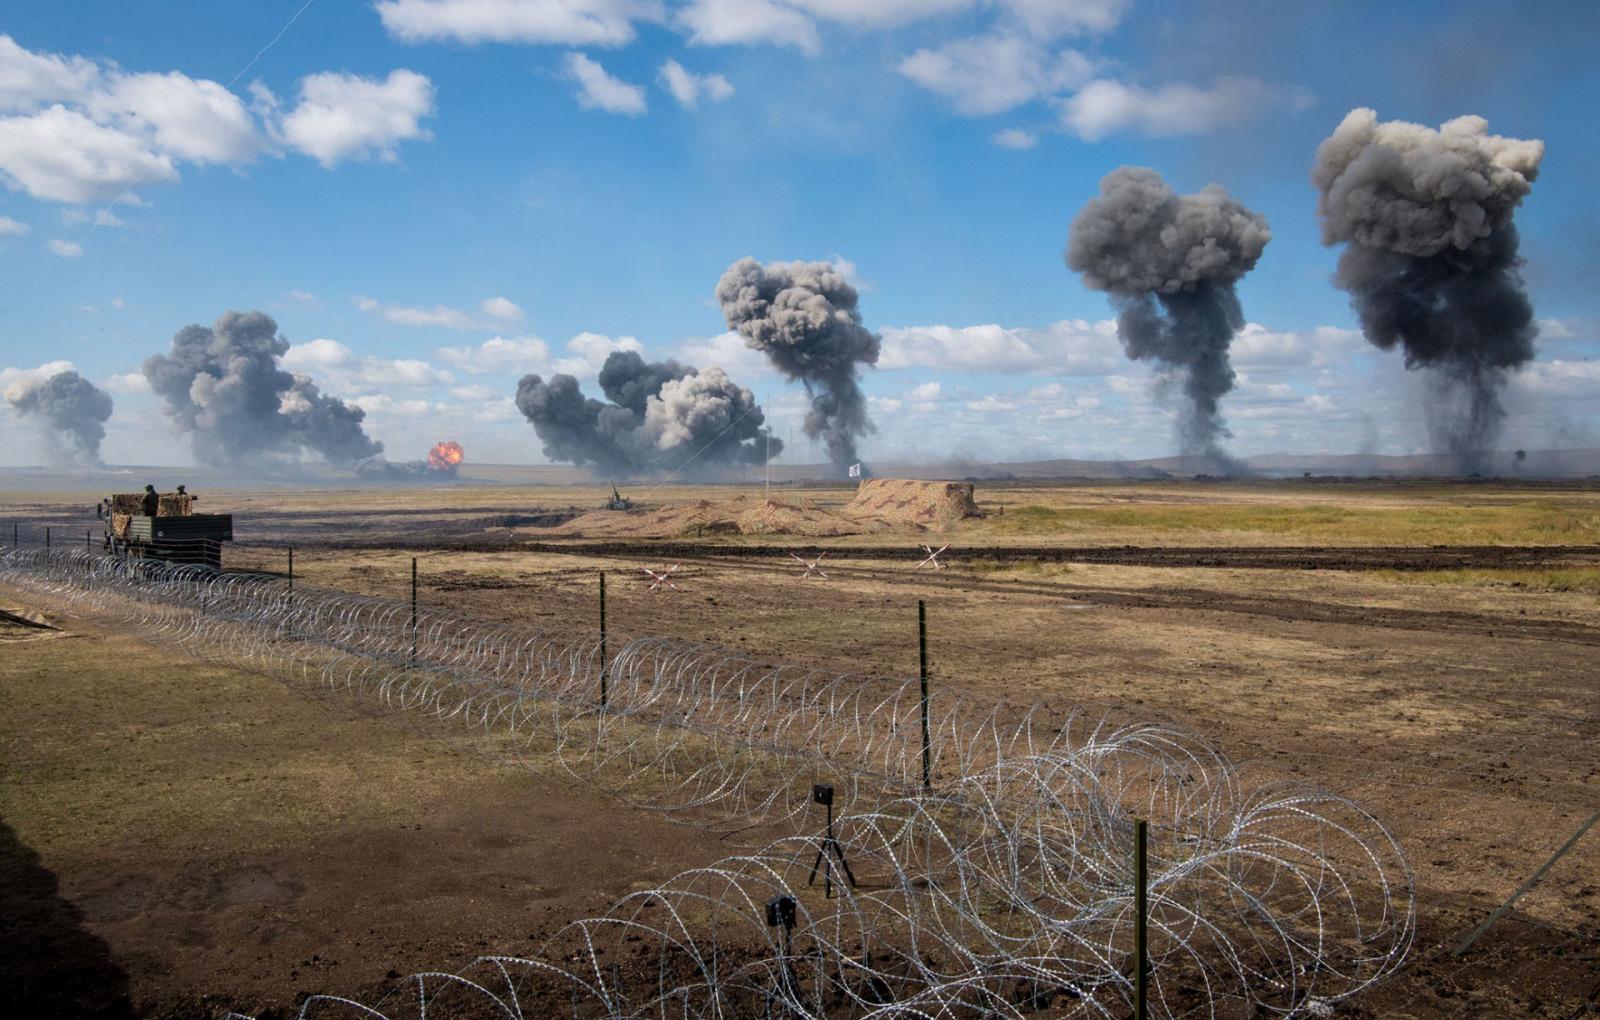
<point x="1066" y="348"/>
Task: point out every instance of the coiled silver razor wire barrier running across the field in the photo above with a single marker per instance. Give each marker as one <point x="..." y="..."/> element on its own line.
<point x="1002" y="890"/>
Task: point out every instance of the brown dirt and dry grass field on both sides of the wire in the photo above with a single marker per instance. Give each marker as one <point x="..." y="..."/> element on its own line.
<point x="186" y="832"/>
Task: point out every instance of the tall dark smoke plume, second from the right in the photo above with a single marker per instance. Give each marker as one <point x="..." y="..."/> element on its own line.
<point x="1170" y="265"/>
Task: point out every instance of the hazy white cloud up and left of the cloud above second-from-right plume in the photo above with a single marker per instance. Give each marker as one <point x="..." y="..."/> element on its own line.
<point x="991" y="74"/>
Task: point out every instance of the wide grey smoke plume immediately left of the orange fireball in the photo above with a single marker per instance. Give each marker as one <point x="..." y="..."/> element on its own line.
<point x="223" y="386"/>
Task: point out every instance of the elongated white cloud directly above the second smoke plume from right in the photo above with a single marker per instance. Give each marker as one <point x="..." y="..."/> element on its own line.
<point x="1108" y="108"/>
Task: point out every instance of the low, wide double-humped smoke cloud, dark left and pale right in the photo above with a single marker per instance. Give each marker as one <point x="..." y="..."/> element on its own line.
<point x="662" y="418"/>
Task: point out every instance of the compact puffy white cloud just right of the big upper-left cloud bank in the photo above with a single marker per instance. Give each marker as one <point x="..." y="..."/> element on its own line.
<point x="351" y="118"/>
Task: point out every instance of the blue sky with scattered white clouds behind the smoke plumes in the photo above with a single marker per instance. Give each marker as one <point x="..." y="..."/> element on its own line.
<point x="434" y="197"/>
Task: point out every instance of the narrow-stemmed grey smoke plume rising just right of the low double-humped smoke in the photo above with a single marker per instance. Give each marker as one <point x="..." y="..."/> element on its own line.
<point x="804" y="317"/>
